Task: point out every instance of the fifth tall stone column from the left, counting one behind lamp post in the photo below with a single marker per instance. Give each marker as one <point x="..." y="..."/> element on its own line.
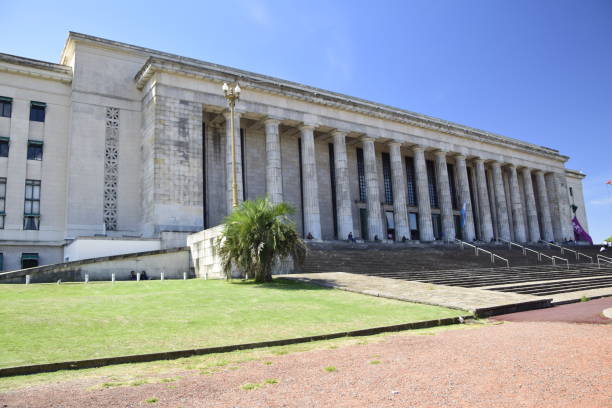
<point x="372" y="198"/>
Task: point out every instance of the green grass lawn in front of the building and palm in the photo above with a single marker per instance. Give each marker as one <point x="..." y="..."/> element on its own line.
<point x="47" y="322"/>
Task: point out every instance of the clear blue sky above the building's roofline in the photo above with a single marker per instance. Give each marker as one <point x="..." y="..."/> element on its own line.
<point x="539" y="71"/>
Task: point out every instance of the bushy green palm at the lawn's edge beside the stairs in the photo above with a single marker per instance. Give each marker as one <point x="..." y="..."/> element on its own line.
<point x="257" y="234"/>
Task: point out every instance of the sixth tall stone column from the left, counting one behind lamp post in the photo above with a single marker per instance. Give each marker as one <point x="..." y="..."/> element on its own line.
<point x="400" y="211"/>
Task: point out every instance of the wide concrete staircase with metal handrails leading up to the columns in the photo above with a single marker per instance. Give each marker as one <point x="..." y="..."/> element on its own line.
<point x="450" y="265"/>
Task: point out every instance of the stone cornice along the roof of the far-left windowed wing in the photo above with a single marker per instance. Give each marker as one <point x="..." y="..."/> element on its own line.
<point x="35" y="68"/>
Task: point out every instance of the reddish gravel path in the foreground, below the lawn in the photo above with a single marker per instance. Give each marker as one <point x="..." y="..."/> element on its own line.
<point x="516" y="364"/>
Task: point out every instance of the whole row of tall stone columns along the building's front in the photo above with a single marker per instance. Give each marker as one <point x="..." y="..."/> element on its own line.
<point x="498" y="207"/>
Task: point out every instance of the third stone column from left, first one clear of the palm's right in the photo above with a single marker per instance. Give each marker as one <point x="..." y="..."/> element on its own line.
<point x="310" y="192"/>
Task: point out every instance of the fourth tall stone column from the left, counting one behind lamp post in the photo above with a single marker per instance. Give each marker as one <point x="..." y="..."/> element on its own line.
<point x="343" y="193"/>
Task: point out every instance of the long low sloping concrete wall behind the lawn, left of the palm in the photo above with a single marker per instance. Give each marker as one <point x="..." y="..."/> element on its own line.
<point x="172" y="262"/>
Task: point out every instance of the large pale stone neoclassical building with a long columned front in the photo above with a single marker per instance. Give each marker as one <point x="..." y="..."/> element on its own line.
<point x="120" y="141"/>
